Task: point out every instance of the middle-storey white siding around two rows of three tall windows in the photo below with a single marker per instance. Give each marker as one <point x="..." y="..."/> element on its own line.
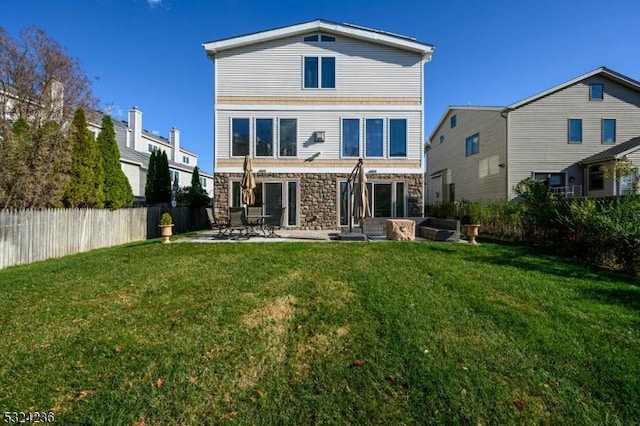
<point x="328" y="121"/>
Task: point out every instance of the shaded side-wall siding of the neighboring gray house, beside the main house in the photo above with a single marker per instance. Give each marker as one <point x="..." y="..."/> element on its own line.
<point x="477" y="176"/>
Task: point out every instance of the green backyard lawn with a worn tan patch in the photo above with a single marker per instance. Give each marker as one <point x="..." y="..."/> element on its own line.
<point x="320" y="333"/>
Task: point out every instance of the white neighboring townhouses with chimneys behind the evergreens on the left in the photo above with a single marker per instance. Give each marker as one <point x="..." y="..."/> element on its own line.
<point x="136" y="144"/>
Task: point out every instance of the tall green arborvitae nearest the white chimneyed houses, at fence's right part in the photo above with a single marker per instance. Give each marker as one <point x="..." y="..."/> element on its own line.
<point x="117" y="190"/>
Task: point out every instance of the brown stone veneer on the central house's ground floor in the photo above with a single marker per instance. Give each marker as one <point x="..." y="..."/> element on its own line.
<point x="318" y="198"/>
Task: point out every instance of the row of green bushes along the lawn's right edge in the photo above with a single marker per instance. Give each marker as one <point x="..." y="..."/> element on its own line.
<point x="603" y="232"/>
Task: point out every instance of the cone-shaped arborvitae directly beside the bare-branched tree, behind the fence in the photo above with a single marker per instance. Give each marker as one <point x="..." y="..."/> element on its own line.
<point x="86" y="175"/>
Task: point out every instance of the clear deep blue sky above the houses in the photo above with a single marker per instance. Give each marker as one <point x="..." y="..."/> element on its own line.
<point x="148" y="53"/>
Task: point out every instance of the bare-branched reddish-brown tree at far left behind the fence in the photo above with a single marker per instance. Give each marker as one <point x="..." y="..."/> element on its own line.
<point x="41" y="84"/>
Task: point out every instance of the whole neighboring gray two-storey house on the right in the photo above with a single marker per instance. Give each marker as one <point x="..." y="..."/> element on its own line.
<point x="562" y="135"/>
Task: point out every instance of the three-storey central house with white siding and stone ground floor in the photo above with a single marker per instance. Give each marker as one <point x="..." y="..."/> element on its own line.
<point x="306" y="101"/>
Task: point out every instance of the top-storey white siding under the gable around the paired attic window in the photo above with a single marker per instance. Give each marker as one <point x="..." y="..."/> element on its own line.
<point x="274" y="68"/>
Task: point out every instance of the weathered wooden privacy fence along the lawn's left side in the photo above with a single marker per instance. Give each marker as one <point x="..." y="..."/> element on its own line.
<point x="30" y="235"/>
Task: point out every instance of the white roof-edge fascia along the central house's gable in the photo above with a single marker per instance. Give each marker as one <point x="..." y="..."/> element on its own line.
<point x="400" y="42"/>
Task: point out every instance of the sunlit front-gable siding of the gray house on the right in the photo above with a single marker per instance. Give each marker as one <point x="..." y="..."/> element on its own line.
<point x="538" y="132"/>
